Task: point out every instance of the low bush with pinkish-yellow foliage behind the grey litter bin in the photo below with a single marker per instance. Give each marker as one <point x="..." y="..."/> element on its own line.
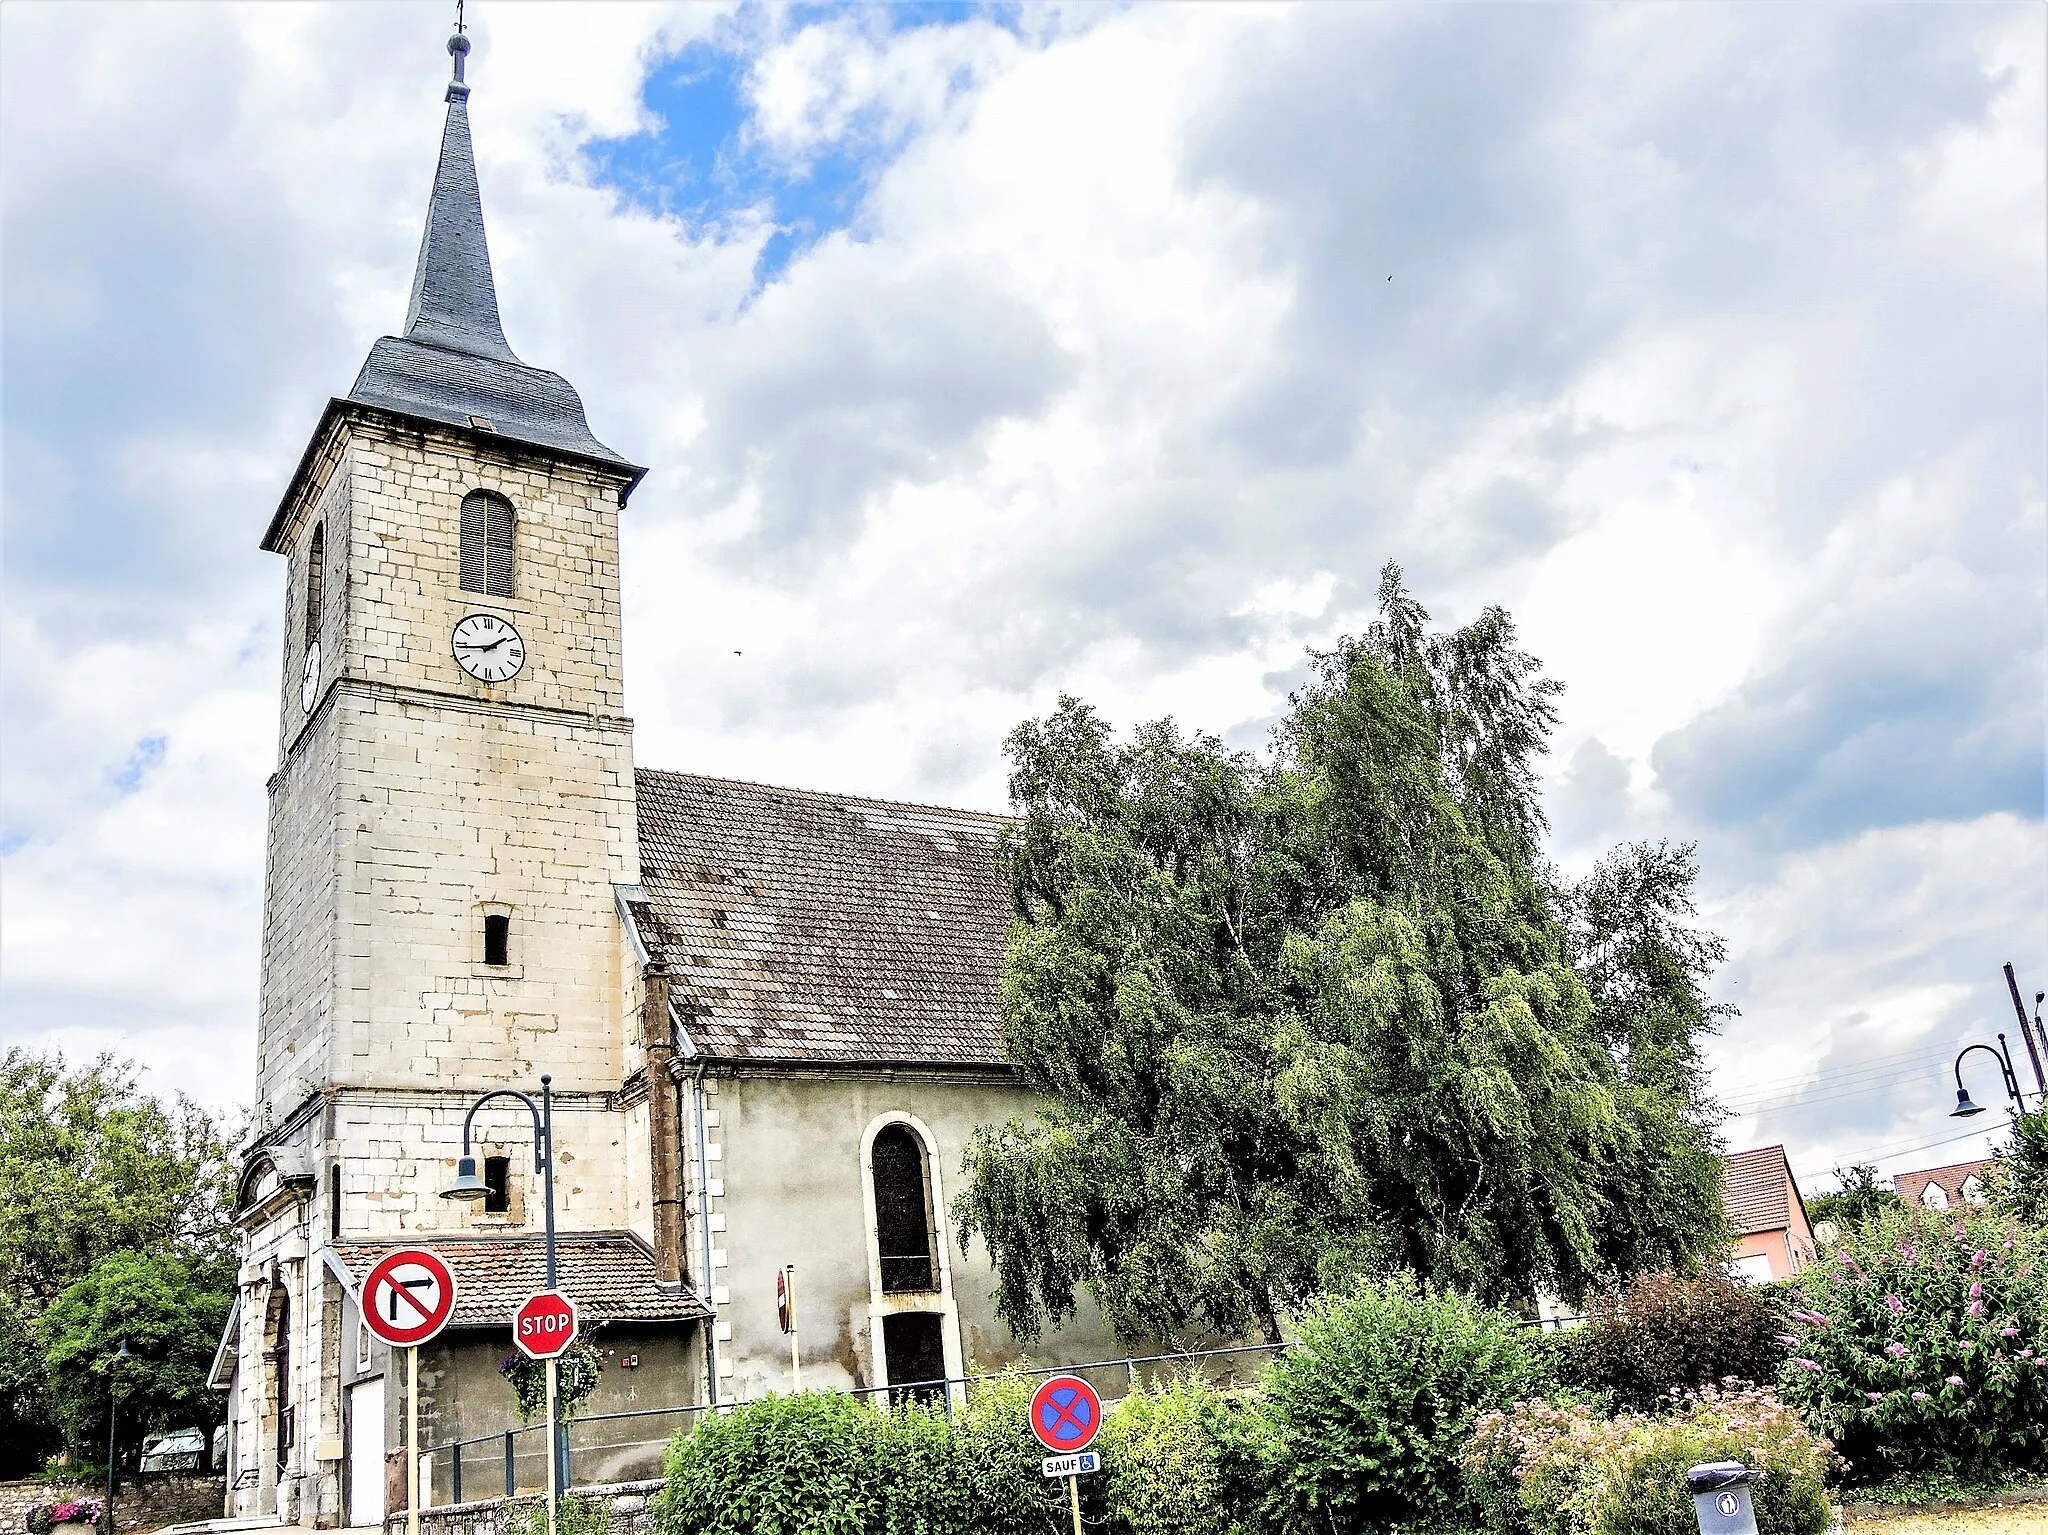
<point x="1560" y="1468"/>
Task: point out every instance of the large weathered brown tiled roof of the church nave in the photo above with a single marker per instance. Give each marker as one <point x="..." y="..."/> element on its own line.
<point x="822" y="928"/>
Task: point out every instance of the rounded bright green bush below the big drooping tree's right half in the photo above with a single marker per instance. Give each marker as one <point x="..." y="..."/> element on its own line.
<point x="1375" y="1401"/>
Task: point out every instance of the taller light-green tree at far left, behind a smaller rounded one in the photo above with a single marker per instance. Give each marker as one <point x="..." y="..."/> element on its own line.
<point x="93" y="1168"/>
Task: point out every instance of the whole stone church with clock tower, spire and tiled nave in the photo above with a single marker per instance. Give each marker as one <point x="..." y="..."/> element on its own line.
<point x="767" y="1018"/>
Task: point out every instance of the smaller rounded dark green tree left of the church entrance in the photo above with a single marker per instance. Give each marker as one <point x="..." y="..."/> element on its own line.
<point x="171" y="1315"/>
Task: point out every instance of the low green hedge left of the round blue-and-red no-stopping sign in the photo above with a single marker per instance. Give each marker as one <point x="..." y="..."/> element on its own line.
<point x="837" y="1466"/>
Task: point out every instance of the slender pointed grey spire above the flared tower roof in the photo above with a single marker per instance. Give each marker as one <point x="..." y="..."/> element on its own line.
<point x="454" y="296"/>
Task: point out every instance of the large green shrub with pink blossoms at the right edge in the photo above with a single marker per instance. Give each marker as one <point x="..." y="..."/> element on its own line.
<point x="1920" y="1346"/>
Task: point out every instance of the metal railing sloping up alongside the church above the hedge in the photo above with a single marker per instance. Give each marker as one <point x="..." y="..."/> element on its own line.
<point x="603" y="1448"/>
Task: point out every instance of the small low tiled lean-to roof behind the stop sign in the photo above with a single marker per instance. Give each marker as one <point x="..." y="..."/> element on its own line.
<point x="609" y="1276"/>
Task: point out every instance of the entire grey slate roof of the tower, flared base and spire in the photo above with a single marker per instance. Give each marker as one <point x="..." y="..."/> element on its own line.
<point x="454" y="363"/>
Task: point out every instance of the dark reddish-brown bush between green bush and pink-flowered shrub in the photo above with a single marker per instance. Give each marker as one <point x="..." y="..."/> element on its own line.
<point x="1670" y="1329"/>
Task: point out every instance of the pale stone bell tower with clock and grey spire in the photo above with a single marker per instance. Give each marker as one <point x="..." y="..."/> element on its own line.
<point x="454" y="801"/>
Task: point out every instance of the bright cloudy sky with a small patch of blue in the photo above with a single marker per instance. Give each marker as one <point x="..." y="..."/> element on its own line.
<point x="992" y="353"/>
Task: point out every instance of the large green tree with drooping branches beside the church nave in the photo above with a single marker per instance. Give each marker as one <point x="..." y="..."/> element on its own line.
<point x="1320" y="1014"/>
